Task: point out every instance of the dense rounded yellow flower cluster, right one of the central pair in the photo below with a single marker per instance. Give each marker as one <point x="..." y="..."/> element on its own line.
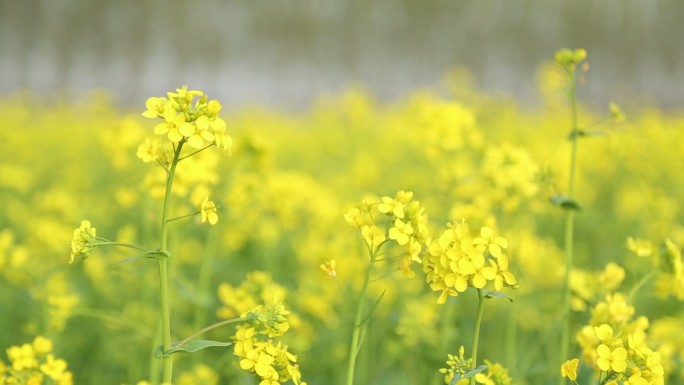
<point x="457" y="260"/>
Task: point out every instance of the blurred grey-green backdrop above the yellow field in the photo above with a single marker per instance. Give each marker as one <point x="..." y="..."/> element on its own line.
<point x="286" y="53"/>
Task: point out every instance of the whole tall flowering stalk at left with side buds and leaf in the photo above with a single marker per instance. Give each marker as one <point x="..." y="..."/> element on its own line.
<point x="187" y="122"/>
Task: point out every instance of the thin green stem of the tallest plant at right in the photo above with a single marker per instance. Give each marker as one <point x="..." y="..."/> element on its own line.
<point x="569" y="226"/>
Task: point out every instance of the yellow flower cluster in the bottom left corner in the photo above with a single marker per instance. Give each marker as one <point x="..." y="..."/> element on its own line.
<point x="33" y="363"/>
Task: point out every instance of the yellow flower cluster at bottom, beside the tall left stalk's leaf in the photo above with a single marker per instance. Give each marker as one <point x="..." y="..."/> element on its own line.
<point x="259" y="353"/>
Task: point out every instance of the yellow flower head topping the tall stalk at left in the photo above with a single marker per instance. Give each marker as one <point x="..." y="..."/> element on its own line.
<point x="196" y="123"/>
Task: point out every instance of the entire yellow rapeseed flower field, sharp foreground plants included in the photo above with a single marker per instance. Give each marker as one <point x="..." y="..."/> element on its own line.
<point x="447" y="237"/>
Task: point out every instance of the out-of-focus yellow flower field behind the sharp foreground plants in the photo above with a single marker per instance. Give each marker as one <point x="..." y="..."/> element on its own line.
<point x="282" y="195"/>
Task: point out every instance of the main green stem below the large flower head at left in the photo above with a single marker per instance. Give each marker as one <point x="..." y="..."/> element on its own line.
<point x="165" y="297"/>
